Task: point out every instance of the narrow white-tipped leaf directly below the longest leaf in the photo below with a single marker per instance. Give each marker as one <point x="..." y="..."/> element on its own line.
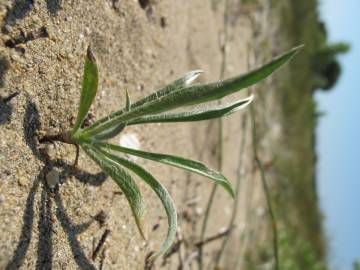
<point x="198" y="115"/>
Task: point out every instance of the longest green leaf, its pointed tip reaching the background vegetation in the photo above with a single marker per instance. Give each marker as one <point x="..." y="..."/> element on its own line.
<point x="195" y="94"/>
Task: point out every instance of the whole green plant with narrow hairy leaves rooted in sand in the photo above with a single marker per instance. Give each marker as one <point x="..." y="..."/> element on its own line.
<point x="151" y="109"/>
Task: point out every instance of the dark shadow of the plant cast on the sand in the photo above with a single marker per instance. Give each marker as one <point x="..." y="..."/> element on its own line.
<point x="31" y="125"/>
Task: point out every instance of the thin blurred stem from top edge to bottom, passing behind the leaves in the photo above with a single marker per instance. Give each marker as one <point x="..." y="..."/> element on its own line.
<point x="220" y="139"/>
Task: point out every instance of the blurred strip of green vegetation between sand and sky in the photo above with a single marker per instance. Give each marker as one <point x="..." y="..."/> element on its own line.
<point x="303" y="243"/>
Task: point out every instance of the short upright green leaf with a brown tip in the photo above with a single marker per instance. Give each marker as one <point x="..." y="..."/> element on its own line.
<point x="89" y="88"/>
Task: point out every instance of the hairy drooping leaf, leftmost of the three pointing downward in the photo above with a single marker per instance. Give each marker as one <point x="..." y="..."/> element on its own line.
<point x="124" y="181"/>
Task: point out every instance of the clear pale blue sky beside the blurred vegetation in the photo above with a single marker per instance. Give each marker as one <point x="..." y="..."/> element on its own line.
<point x="338" y="137"/>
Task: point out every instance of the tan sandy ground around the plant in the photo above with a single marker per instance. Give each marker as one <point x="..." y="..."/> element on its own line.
<point x="139" y="47"/>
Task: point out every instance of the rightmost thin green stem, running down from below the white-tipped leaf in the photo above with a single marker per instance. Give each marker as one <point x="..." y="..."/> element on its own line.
<point x="265" y="187"/>
